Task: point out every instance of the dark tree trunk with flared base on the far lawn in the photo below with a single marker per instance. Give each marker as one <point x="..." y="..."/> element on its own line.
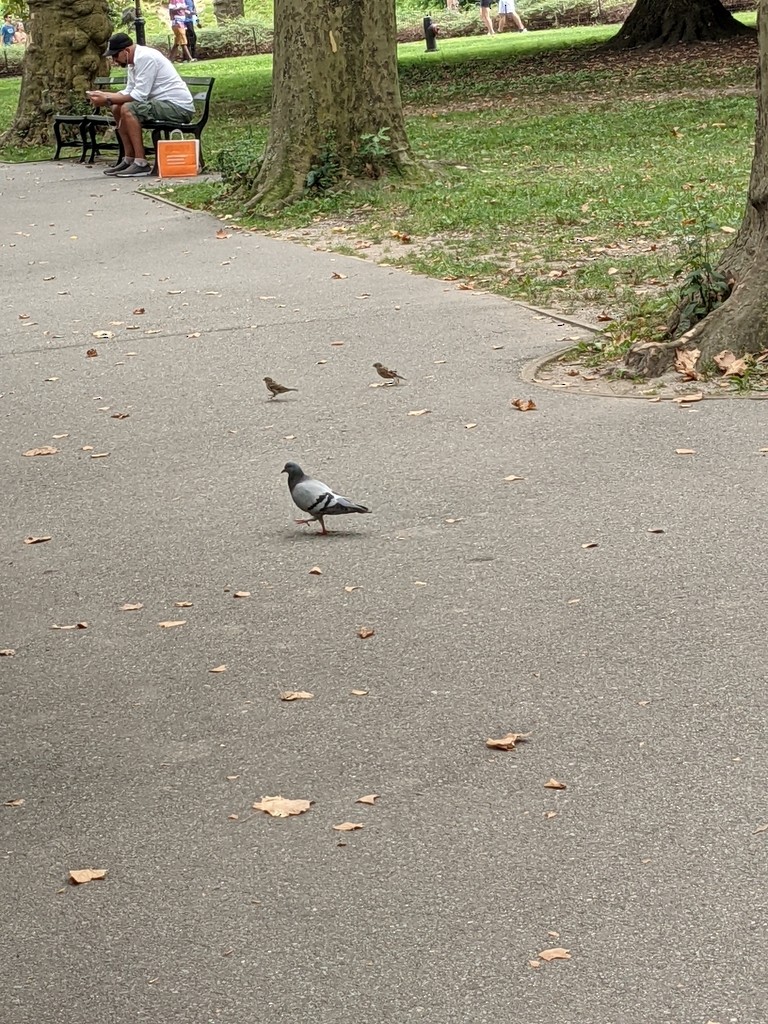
<point x="666" y="23"/>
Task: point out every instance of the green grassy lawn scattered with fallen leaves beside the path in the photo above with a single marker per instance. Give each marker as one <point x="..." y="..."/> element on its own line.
<point x="551" y="173"/>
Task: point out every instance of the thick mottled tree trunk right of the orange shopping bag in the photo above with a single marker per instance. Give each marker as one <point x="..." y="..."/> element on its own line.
<point x="334" y="81"/>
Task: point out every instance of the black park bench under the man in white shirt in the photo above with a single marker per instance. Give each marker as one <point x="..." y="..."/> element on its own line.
<point x="90" y="125"/>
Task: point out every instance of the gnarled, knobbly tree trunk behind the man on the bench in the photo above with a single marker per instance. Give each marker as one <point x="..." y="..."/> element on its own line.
<point x="64" y="56"/>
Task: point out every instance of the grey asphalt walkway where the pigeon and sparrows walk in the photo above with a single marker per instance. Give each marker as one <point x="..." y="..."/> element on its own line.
<point x="637" y="666"/>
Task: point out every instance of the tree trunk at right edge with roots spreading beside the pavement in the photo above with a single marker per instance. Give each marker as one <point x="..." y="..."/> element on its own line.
<point x="741" y="324"/>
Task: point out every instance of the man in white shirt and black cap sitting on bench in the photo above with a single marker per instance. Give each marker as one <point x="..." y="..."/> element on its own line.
<point x="154" y="93"/>
